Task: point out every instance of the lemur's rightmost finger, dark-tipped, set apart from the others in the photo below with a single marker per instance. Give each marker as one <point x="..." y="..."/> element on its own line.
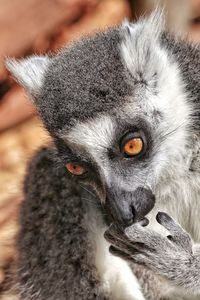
<point x="177" y="233"/>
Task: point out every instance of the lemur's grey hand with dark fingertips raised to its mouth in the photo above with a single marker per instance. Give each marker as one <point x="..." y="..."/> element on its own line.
<point x="163" y="255"/>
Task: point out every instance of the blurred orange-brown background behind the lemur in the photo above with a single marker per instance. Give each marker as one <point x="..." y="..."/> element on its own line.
<point x="35" y="26"/>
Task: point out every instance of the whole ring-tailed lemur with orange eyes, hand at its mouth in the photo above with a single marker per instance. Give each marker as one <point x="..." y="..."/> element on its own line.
<point x="122" y="108"/>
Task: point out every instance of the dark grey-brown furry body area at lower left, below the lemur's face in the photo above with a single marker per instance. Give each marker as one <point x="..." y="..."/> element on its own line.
<point x="55" y="260"/>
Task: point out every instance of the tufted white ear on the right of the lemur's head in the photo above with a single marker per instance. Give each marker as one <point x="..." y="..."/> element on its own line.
<point x="141" y="49"/>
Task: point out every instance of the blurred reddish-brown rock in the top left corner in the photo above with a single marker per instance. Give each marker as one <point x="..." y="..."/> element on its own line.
<point x="21" y="24"/>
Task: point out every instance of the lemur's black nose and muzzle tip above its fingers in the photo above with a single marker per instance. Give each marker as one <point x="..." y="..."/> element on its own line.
<point x="126" y="208"/>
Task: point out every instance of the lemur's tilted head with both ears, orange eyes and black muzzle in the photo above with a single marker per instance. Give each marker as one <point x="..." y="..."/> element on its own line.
<point x="116" y="108"/>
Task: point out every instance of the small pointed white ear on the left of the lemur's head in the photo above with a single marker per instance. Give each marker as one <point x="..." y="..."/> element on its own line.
<point x="29" y="72"/>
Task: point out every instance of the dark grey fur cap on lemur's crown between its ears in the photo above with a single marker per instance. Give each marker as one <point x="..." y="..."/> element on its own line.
<point x="84" y="80"/>
